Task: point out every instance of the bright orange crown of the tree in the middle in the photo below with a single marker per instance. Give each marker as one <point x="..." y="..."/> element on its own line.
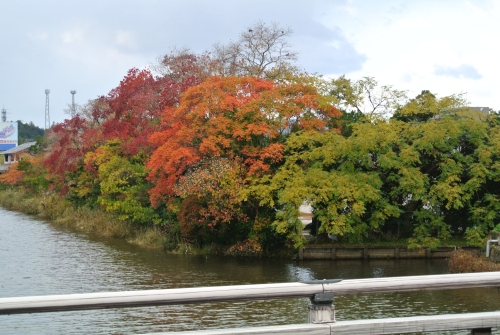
<point x="245" y="120"/>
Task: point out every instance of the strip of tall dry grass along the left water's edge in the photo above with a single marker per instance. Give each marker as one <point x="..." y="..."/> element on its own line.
<point x="53" y="208"/>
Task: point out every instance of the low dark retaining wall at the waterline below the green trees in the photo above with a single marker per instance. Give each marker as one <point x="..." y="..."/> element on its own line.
<point x="327" y="252"/>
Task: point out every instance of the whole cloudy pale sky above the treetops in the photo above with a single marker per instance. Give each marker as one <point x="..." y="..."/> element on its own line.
<point x="444" y="46"/>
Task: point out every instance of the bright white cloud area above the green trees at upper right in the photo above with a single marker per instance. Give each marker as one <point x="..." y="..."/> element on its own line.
<point x="446" y="47"/>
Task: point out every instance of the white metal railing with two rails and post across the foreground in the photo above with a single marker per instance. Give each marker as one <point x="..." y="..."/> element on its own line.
<point x="321" y="292"/>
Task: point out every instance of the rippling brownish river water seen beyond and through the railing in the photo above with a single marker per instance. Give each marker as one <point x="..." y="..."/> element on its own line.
<point x="37" y="258"/>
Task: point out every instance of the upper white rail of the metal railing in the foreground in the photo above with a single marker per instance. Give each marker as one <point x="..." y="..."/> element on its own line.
<point x="86" y="301"/>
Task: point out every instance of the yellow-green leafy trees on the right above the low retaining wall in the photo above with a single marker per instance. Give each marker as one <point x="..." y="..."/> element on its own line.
<point x="424" y="178"/>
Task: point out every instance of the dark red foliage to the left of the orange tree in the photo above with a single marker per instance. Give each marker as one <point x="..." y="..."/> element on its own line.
<point x="130" y="113"/>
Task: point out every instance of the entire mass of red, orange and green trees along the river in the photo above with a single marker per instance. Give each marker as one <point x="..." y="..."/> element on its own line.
<point x="222" y="148"/>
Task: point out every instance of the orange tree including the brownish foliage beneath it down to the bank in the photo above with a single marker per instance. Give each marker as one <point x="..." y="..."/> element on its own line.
<point x="225" y="134"/>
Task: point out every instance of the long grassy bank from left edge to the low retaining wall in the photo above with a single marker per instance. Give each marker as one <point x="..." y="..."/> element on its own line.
<point x="59" y="212"/>
